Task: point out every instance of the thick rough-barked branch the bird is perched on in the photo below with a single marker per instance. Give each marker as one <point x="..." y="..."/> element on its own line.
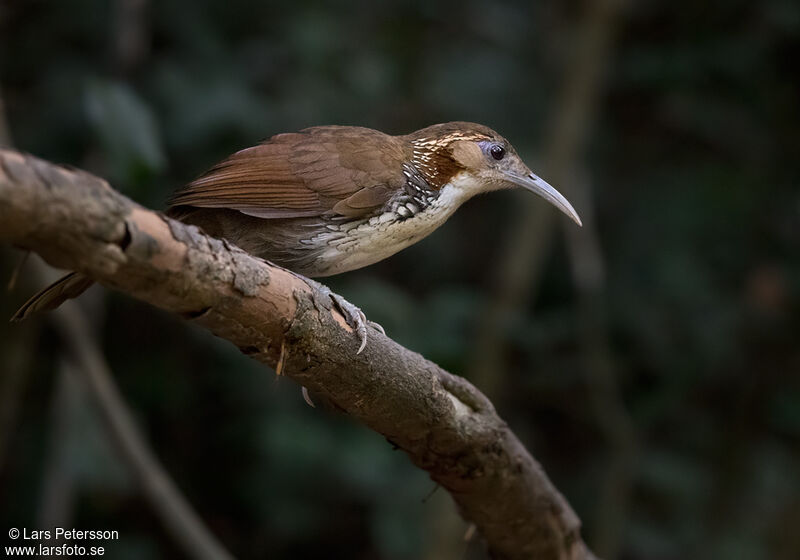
<point x="447" y="427"/>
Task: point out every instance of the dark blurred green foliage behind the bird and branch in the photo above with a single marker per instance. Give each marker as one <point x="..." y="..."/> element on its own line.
<point x="691" y="158"/>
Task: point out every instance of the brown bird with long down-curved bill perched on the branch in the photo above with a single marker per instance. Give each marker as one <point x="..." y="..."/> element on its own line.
<point x="332" y="199"/>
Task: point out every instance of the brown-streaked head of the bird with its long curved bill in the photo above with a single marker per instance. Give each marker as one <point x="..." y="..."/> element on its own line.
<point x="475" y="158"/>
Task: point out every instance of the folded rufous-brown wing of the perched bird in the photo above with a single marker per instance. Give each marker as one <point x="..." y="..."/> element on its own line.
<point x="344" y="170"/>
